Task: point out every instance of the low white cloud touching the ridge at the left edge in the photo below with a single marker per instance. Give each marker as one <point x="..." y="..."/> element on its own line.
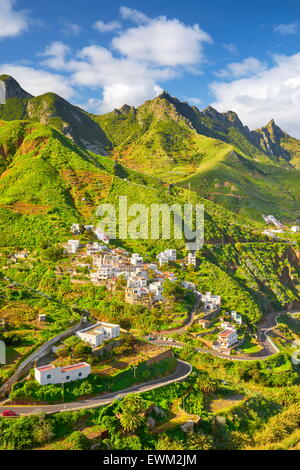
<point x="37" y="81"/>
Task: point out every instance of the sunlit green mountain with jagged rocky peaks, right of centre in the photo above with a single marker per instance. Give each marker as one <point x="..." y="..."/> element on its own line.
<point x="212" y="153"/>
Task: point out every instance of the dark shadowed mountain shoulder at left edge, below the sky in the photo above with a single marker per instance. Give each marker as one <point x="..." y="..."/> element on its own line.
<point x="15" y="103"/>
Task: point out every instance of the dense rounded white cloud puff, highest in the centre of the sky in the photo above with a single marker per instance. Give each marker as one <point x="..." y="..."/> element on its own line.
<point x="163" y="42"/>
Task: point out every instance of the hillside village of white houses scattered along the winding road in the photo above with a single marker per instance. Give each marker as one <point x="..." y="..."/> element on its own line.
<point x="98" y="263"/>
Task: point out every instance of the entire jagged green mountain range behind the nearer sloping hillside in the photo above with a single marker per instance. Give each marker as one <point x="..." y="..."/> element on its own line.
<point x="214" y="154"/>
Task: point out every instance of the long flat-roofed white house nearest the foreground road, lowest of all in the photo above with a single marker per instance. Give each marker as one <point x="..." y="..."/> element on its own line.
<point x="50" y="374"/>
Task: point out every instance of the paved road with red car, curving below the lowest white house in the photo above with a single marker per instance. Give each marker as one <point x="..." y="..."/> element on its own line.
<point x="183" y="369"/>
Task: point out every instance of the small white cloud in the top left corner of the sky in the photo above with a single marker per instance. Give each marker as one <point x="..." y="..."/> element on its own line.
<point x="12" y="22"/>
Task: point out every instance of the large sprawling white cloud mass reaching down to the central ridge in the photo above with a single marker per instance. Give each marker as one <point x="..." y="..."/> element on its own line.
<point x="166" y="49"/>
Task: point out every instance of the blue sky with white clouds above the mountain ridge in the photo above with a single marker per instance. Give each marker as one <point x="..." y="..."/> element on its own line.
<point x="101" y="54"/>
